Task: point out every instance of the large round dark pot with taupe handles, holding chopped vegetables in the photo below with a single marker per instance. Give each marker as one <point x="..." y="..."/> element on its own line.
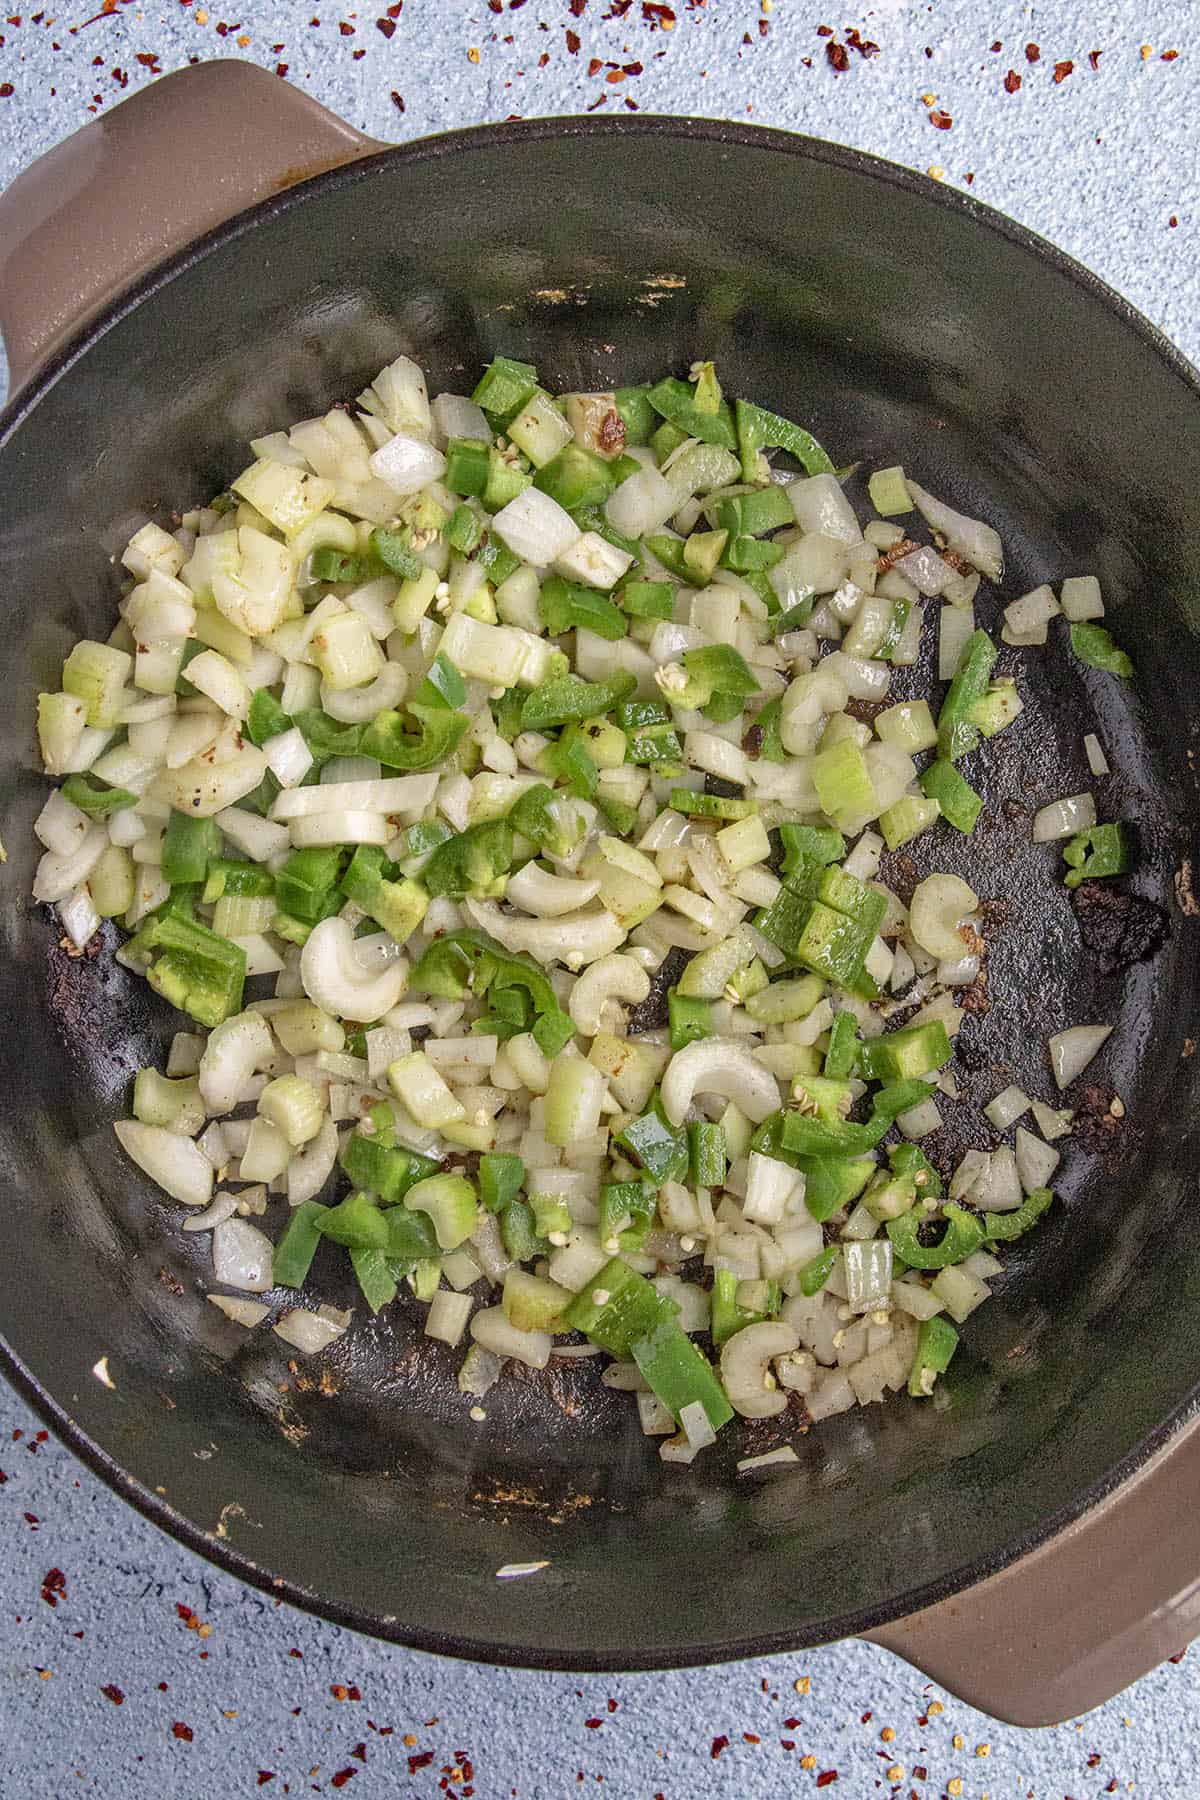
<point x="899" y="323"/>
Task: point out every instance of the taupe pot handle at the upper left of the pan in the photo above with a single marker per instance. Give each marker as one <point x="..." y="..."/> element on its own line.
<point x="177" y="159"/>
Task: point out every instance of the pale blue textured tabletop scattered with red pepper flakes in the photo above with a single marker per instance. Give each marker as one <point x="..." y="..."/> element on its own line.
<point x="127" y="1666"/>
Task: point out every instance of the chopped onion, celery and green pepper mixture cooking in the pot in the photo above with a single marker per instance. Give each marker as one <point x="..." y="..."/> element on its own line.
<point x="490" y="784"/>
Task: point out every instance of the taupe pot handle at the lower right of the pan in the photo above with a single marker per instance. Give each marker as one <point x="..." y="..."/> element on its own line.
<point x="1077" y="1621"/>
